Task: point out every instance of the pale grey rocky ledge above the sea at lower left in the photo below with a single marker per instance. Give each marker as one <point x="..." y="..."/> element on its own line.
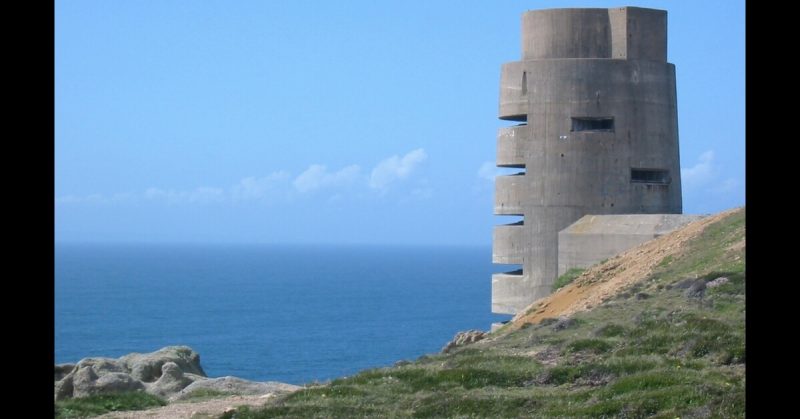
<point x="172" y="373"/>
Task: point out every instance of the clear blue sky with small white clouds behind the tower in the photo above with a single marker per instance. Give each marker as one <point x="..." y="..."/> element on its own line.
<point x="331" y="122"/>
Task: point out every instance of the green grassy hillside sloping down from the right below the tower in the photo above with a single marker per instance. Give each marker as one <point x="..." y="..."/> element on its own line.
<point x="669" y="344"/>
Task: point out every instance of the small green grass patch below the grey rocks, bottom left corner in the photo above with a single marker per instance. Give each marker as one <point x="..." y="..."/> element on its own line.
<point x="99" y="404"/>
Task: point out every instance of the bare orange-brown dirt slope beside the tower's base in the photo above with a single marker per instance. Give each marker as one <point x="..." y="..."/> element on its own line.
<point x="603" y="281"/>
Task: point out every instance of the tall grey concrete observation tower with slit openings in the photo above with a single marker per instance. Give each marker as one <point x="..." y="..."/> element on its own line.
<point x="595" y="102"/>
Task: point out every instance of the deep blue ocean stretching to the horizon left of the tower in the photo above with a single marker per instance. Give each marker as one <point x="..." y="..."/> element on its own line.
<point x="295" y="314"/>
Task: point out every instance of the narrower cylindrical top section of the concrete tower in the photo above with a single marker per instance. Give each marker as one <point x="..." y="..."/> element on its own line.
<point x="631" y="33"/>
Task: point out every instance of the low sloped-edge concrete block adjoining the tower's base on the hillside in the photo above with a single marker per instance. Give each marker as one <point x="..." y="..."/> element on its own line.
<point x="594" y="238"/>
